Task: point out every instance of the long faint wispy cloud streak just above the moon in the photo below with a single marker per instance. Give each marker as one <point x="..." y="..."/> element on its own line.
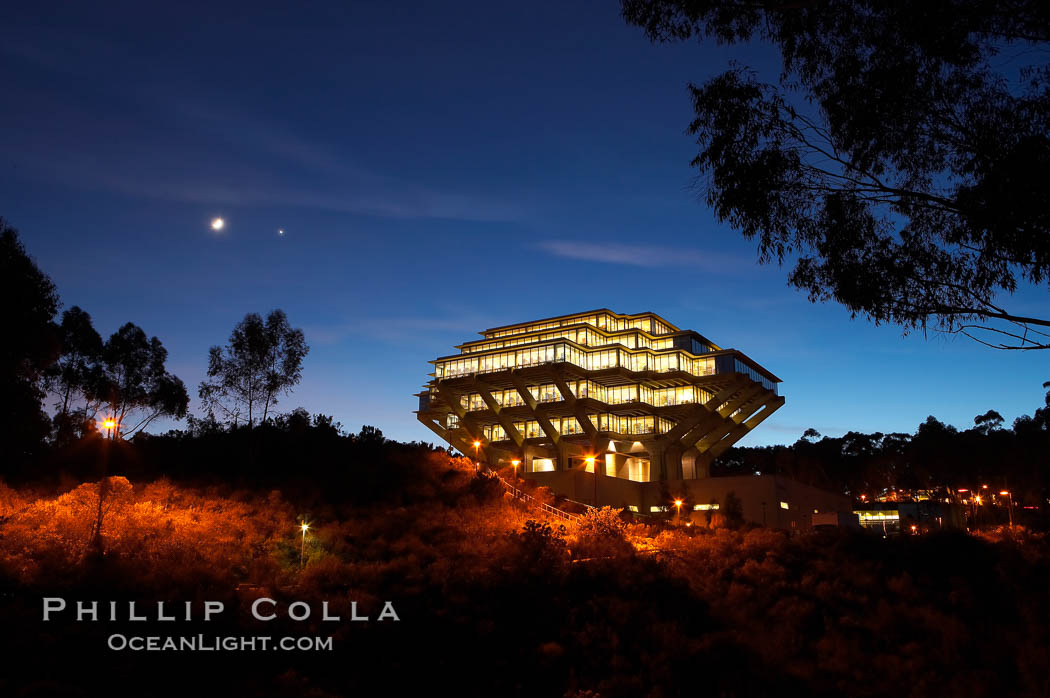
<point x="295" y="177"/>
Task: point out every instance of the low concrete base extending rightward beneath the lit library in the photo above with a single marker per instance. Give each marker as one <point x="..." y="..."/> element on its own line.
<point x="771" y="501"/>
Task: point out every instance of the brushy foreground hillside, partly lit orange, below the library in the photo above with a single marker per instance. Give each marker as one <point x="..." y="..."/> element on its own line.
<point x="492" y="599"/>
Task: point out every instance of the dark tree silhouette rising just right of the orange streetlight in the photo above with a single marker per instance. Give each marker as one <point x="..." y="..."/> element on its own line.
<point x="135" y="382"/>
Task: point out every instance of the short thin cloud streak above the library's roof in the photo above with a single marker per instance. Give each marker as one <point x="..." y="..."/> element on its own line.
<point x="647" y="256"/>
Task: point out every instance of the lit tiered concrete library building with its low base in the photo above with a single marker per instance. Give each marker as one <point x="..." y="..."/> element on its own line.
<point x="615" y="410"/>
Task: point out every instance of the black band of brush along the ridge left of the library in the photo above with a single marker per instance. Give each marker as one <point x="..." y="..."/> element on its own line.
<point x="311" y="459"/>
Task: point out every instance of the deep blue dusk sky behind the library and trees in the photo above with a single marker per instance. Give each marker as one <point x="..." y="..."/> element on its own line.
<point x="438" y="170"/>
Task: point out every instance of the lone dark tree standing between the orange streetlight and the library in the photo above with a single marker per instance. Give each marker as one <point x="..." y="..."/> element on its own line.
<point x="262" y="362"/>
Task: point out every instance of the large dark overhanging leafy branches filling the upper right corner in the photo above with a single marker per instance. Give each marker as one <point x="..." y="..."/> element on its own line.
<point x="900" y="165"/>
